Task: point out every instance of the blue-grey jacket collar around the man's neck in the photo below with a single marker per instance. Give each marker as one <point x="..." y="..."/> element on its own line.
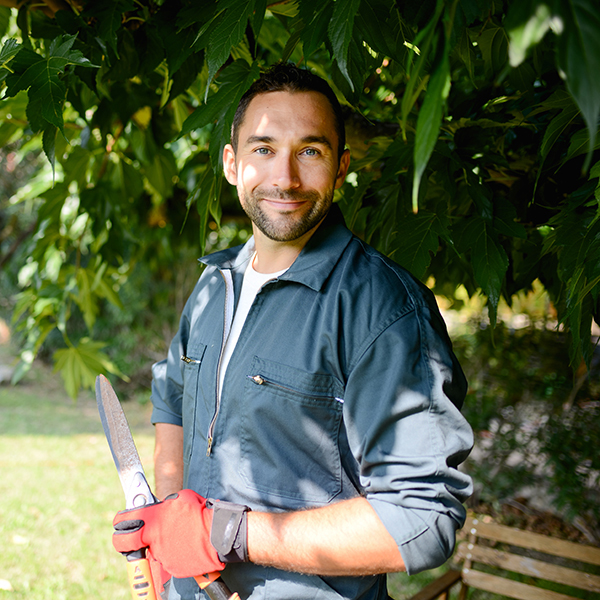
<point x="314" y="263"/>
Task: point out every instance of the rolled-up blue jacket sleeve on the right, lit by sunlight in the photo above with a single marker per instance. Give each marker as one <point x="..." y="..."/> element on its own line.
<point x="408" y="435"/>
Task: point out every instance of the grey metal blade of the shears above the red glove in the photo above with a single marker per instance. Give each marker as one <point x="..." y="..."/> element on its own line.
<point x="126" y="457"/>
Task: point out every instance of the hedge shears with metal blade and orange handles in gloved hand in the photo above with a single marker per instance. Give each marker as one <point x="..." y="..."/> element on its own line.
<point x="138" y="494"/>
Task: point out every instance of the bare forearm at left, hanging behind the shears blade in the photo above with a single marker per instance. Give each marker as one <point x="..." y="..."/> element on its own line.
<point x="168" y="459"/>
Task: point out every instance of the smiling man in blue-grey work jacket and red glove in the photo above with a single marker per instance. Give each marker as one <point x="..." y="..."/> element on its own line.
<point x="309" y="372"/>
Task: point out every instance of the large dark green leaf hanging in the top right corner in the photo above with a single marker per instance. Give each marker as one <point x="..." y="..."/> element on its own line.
<point x="579" y="59"/>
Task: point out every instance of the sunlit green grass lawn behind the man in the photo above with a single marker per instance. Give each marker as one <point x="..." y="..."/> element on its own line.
<point x="59" y="491"/>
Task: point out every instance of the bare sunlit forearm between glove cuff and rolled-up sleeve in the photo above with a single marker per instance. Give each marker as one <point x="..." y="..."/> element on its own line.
<point x="346" y="538"/>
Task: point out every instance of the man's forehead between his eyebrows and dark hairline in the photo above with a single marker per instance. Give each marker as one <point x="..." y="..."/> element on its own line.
<point x="288" y="115"/>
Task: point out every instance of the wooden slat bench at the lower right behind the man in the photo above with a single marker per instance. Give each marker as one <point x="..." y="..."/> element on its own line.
<point x="492" y="554"/>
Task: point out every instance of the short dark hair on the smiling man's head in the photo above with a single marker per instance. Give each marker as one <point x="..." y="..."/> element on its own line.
<point x="287" y="77"/>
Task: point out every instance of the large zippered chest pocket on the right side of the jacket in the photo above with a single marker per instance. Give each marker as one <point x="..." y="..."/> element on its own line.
<point x="290" y="431"/>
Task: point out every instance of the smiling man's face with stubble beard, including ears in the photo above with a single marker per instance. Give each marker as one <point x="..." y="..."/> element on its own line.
<point x="286" y="167"/>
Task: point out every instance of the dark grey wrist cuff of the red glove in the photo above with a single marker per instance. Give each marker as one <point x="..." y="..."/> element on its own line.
<point x="229" y="530"/>
